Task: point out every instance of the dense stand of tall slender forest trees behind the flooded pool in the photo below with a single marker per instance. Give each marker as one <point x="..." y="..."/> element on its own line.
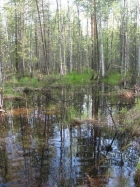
<point x="85" y="34"/>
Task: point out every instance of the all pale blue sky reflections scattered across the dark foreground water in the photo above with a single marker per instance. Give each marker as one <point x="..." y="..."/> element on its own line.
<point x="66" y="150"/>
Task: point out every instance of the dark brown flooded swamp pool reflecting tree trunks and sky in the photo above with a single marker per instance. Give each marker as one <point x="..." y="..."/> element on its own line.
<point x="52" y="139"/>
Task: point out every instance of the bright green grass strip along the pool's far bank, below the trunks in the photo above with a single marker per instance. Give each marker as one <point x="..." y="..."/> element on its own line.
<point x="75" y="78"/>
